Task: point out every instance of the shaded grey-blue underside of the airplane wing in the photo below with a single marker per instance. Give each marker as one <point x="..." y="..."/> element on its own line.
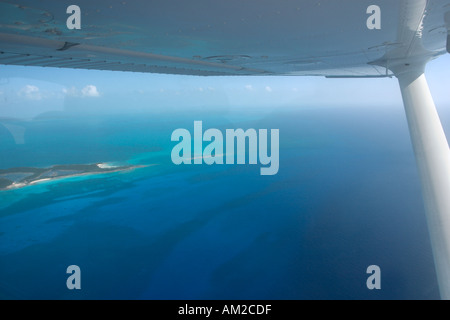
<point x="233" y="37"/>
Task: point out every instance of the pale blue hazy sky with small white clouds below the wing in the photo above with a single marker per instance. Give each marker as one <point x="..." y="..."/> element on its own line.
<point x="27" y="92"/>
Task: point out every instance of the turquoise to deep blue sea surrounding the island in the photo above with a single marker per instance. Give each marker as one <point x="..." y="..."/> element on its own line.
<point x="347" y="196"/>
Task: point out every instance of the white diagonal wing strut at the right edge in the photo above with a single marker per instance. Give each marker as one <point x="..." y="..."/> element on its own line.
<point x="433" y="160"/>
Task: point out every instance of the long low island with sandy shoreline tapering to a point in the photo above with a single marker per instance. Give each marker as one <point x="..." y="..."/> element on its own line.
<point x="21" y="177"/>
